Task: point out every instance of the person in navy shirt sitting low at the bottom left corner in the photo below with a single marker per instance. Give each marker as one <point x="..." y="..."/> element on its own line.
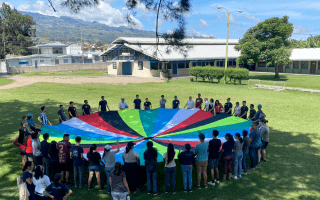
<point x="57" y="190"/>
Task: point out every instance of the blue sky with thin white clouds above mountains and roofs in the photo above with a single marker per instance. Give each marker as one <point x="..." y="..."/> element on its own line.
<point x="204" y="19"/>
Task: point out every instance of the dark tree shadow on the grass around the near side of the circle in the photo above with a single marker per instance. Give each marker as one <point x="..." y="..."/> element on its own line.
<point x="290" y="173"/>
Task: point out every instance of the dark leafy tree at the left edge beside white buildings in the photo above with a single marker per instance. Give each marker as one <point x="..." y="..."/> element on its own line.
<point x="16" y="31"/>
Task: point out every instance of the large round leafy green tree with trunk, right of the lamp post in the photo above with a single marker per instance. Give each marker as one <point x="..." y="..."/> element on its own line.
<point x="267" y="42"/>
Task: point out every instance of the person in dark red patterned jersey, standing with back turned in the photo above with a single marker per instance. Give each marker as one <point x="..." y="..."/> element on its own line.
<point x="64" y="148"/>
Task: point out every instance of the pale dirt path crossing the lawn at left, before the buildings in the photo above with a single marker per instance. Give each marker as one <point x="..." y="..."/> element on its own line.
<point x="20" y="81"/>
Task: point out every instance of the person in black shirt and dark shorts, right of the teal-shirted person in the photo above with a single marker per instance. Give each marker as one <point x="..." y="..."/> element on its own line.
<point x="214" y="152"/>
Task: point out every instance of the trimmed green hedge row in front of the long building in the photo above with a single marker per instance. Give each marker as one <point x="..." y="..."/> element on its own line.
<point x="218" y="73"/>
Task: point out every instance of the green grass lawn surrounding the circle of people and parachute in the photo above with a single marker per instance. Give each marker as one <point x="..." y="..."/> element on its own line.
<point x="292" y="170"/>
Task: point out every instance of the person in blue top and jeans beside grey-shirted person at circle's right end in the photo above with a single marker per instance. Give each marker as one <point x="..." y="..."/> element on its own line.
<point x="254" y="145"/>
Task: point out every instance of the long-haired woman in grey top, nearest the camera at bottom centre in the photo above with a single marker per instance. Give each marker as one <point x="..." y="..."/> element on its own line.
<point x="119" y="185"/>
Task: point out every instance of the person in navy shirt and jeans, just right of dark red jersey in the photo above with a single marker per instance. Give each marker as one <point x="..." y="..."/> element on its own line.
<point x="77" y="155"/>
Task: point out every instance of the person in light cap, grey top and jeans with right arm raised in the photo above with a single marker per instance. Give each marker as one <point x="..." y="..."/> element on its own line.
<point x="109" y="159"/>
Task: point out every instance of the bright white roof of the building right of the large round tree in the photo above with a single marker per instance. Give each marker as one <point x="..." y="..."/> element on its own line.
<point x="305" y="54"/>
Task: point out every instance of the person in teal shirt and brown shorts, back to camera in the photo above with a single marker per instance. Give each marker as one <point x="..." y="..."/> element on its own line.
<point x="201" y="152"/>
